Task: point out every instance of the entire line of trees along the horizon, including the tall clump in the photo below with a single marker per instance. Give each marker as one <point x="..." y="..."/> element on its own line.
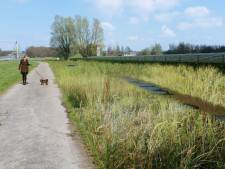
<point x="77" y="35"/>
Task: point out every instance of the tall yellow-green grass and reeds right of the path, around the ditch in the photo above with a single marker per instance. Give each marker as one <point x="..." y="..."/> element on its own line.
<point x="126" y="127"/>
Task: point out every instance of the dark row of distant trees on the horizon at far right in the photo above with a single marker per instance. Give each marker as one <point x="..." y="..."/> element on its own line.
<point x="183" y="48"/>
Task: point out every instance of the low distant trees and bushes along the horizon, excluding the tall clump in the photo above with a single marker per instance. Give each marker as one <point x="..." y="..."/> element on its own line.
<point x="181" y="48"/>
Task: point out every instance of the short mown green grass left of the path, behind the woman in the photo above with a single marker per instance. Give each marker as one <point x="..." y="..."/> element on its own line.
<point x="9" y="74"/>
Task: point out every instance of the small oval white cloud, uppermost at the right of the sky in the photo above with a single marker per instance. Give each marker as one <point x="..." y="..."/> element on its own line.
<point x="198" y="11"/>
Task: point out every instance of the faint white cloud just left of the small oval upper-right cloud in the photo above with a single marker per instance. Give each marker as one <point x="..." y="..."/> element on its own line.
<point x="166" y="17"/>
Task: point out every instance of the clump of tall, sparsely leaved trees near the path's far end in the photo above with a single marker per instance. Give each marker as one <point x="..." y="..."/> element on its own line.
<point x="76" y="35"/>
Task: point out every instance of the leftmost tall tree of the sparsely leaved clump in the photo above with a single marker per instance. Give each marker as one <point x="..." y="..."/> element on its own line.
<point x="63" y="35"/>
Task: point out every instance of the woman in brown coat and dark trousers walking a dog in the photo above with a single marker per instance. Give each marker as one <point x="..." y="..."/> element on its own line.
<point x="24" y="68"/>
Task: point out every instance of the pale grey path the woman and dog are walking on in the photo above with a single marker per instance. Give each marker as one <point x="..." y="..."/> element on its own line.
<point x="34" y="128"/>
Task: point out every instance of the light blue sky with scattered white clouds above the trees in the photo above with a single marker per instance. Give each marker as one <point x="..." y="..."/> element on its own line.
<point x="137" y="23"/>
